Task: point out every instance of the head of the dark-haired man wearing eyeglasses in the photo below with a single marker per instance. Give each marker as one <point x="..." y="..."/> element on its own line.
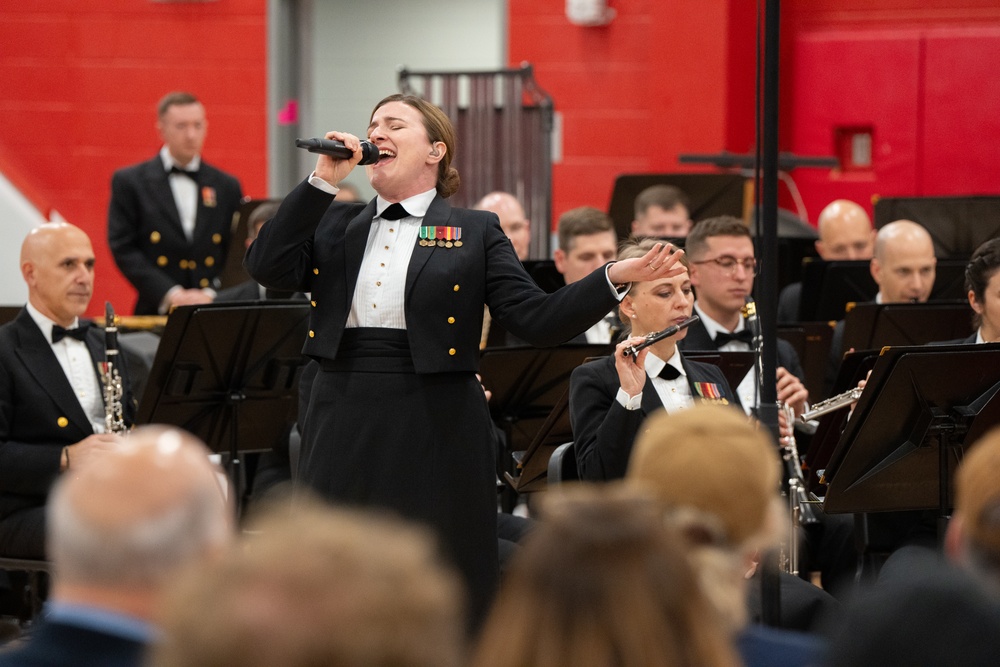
<point x="721" y="256"/>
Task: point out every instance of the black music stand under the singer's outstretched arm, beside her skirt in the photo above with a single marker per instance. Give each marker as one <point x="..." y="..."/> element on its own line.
<point x="527" y="383"/>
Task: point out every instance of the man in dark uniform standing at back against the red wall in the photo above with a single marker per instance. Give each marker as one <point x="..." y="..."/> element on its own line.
<point x="170" y="217"/>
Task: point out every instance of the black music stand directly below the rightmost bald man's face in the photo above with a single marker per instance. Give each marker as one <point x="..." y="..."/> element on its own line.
<point x="875" y="325"/>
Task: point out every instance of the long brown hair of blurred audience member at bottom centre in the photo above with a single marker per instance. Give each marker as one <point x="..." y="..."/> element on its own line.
<point x="602" y="581"/>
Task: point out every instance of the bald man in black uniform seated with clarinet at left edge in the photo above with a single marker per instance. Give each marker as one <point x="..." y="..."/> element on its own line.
<point x="52" y="409"/>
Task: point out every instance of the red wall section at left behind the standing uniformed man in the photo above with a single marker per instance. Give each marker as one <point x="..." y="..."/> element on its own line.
<point x="80" y="87"/>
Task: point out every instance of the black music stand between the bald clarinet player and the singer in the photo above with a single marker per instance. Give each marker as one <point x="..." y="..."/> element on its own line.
<point x="229" y="373"/>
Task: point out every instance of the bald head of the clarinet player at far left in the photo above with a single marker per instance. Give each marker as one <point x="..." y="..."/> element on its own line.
<point x="57" y="263"/>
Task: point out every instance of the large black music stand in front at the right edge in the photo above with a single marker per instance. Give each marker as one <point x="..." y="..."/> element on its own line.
<point x="921" y="408"/>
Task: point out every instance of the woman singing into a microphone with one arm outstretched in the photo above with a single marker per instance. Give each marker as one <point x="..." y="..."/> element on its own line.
<point x="397" y="417"/>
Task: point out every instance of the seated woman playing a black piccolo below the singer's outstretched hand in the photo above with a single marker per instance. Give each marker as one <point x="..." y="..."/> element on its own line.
<point x="610" y="397"/>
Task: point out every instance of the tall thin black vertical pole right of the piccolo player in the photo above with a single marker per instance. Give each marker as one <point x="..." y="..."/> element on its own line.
<point x="767" y="281"/>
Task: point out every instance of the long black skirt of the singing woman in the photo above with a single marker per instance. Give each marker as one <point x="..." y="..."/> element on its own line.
<point x="377" y="434"/>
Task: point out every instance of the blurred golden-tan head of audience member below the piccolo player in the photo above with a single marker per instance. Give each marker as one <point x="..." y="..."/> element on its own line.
<point x="717" y="476"/>
